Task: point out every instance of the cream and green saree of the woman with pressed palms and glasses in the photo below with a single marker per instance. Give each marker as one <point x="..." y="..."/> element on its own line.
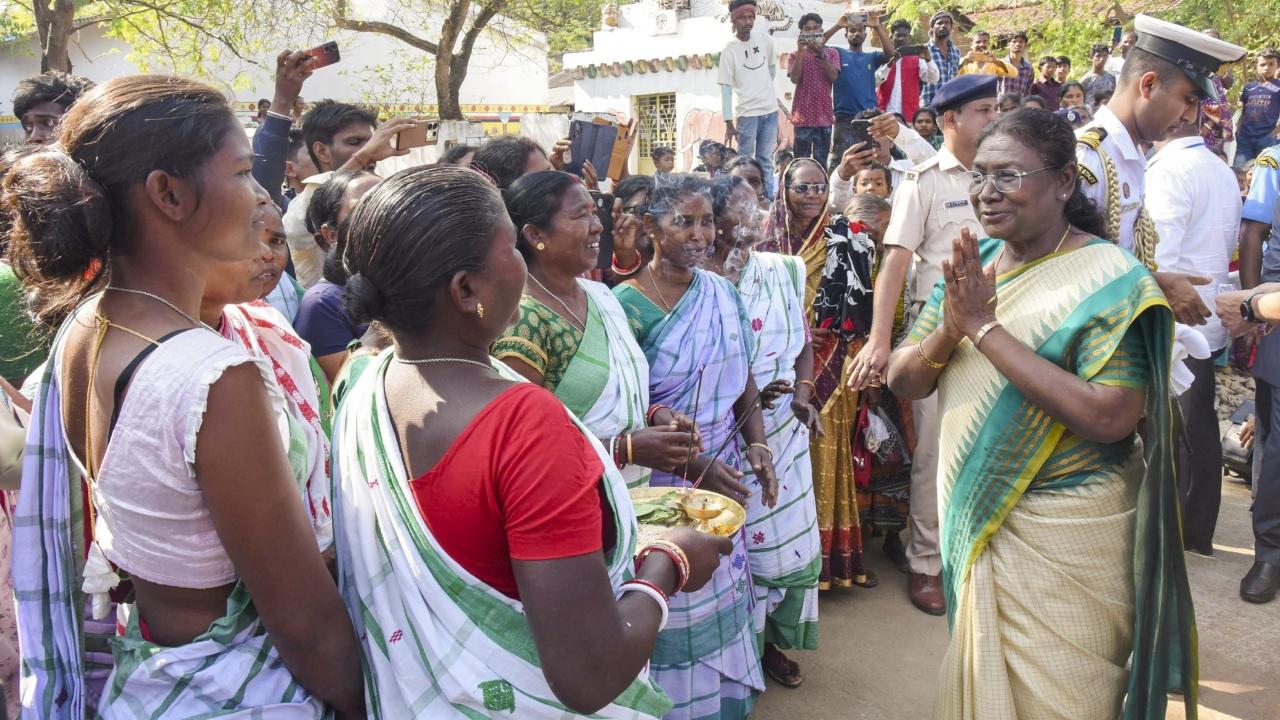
<point x="1063" y="562"/>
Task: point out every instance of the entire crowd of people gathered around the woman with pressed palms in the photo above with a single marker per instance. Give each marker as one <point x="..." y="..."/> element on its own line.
<point x="285" y="436"/>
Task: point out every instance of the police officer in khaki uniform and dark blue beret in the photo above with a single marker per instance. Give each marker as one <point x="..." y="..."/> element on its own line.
<point x="930" y="211"/>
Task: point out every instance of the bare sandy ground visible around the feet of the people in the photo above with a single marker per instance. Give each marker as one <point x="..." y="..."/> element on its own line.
<point x="880" y="655"/>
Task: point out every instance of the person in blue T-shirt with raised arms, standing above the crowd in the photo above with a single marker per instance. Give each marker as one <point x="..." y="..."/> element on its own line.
<point x="856" y="85"/>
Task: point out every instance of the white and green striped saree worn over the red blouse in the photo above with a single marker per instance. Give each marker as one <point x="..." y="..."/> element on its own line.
<point x="437" y="641"/>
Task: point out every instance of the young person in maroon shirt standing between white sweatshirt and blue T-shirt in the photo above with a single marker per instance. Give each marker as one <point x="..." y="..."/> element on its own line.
<point x="813" y="71"/>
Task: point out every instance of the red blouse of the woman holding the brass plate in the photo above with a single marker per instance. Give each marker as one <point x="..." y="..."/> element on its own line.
<point x="520" y="482"/>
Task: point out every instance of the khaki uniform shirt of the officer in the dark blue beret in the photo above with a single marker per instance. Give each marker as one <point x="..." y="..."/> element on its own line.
<point x="930" y="211"/>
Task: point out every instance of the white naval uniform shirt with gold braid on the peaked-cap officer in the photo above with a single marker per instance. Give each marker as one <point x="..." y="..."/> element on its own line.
<point x="1131" y="172"/>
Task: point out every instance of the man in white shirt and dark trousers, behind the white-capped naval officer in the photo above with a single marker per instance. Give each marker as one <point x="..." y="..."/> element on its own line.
<point x="1197" y="213"/>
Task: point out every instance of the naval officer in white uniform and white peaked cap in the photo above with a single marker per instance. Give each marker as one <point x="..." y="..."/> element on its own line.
<point x="1165" y="76"/>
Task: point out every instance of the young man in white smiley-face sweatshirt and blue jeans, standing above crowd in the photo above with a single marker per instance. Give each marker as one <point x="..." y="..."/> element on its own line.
<point x="747" y="70"/>
